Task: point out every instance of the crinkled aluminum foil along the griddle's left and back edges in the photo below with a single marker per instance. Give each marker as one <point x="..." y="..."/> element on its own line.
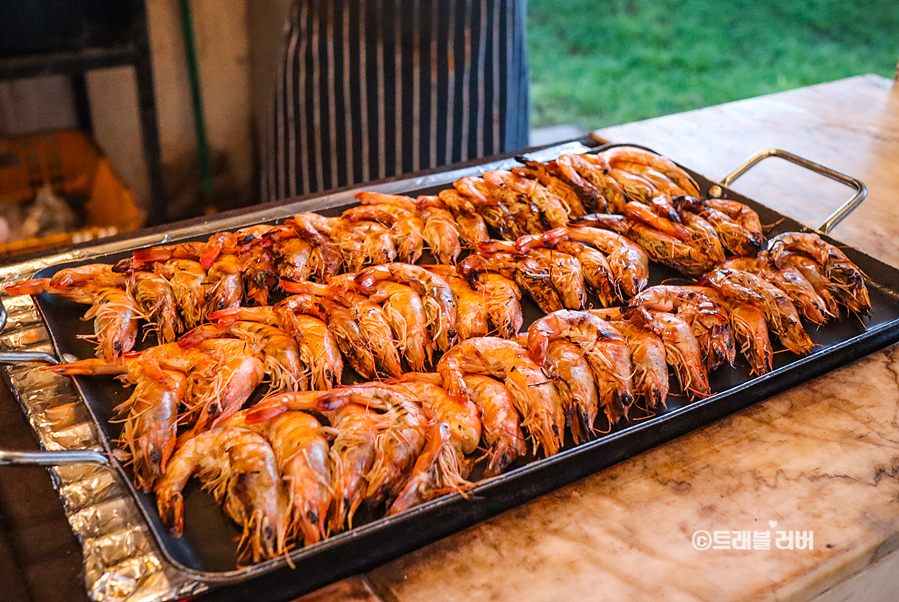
<point x="122" y="560"/>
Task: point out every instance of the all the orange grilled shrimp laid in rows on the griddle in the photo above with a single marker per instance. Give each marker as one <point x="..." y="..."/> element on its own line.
<point x="450" y="377"/>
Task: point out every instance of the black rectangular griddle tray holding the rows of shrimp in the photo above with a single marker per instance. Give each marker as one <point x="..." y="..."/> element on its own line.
<point x="207" y="550"/>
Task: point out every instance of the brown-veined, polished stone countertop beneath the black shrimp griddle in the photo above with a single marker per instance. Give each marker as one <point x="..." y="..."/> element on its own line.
<point x="822" y="457"/>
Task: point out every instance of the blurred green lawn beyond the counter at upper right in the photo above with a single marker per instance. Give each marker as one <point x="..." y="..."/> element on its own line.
<point x="603" y="62"/>
